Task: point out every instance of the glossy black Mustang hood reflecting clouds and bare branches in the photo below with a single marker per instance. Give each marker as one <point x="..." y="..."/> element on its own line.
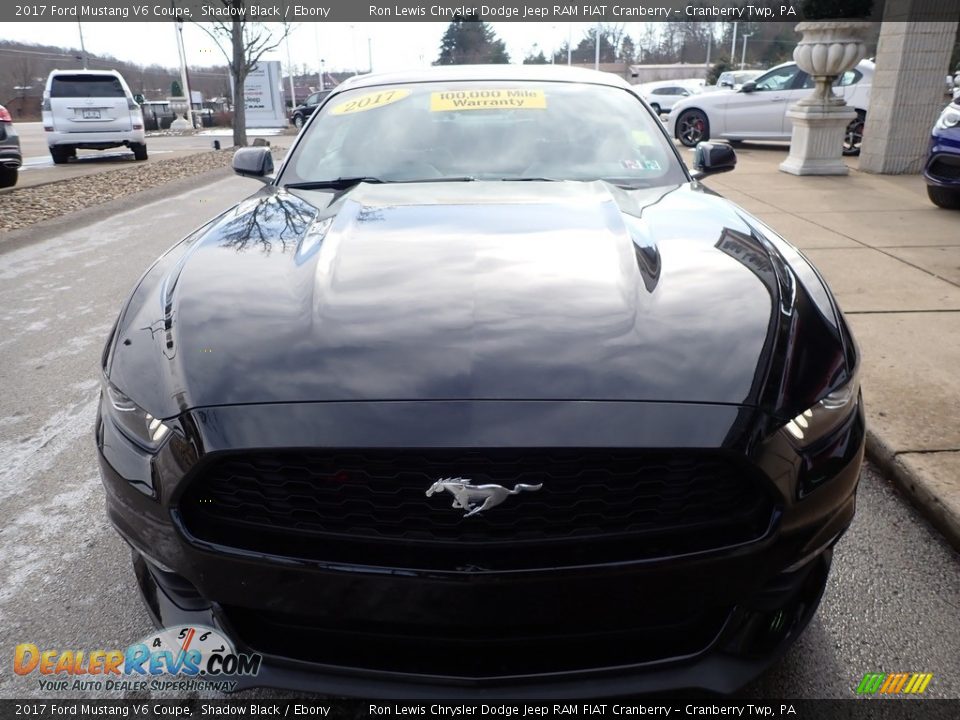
<point x="475" y="290"/>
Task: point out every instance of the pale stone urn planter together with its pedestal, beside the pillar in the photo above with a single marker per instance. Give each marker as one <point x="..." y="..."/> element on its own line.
<point x="828" y="49"/>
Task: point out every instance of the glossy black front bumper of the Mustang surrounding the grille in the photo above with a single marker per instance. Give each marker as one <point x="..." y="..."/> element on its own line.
<point x="710" y="620"/>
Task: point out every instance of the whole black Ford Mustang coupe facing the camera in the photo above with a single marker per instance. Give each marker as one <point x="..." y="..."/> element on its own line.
<point x="482" y="394"/>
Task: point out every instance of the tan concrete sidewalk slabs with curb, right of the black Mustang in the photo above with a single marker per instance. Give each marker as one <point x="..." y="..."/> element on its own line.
<point x="893" y="261"/>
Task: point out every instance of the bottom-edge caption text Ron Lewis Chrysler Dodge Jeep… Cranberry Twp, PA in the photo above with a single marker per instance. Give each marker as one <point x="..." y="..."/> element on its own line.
<point x="531" y="711"/>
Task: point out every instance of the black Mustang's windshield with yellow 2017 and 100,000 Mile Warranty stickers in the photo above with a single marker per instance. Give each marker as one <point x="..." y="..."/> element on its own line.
<point x="485" y="131"/>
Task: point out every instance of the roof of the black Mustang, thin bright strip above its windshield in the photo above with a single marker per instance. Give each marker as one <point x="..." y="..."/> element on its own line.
<point x="541" y="73"/>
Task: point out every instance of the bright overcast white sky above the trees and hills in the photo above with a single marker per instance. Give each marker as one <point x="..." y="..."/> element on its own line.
<point x="395" y="46"/>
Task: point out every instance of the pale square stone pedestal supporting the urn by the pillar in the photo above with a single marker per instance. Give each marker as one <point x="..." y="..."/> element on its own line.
<point x="816" y="147"/>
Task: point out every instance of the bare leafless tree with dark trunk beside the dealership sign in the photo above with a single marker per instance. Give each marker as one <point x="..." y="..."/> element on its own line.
<point x="242" y="43"/>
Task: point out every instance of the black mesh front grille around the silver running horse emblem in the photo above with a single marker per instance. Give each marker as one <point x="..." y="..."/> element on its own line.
<point x="371" y="506"/>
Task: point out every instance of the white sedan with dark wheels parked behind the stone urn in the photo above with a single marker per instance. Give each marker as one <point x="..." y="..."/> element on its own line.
<point x="758" y="110"/>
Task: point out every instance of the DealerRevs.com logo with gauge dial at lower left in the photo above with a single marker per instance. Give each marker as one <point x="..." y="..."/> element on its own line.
<point x="193" y="657"/>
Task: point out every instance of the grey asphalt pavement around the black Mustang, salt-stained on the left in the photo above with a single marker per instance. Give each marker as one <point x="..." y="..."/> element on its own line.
<point x="892" y="604"/>
